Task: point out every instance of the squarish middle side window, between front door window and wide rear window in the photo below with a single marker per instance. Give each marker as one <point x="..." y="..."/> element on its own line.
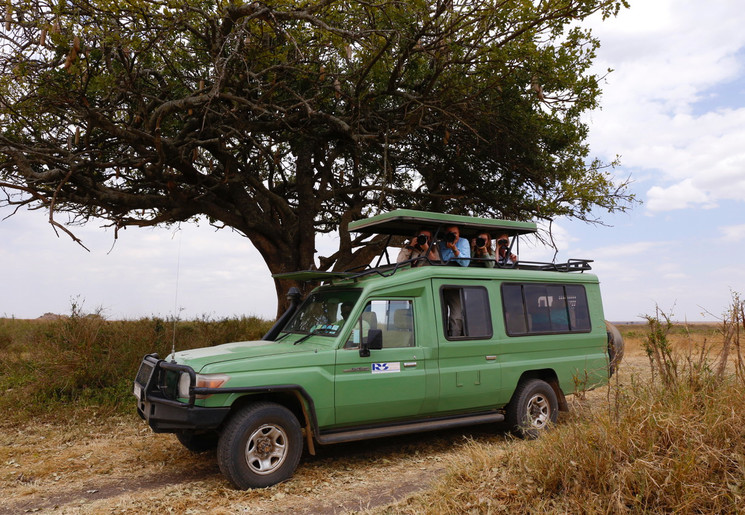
<point x="466" y="312"/>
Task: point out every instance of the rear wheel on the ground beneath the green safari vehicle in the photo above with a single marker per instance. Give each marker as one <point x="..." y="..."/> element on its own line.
<point x="533" y="408"/>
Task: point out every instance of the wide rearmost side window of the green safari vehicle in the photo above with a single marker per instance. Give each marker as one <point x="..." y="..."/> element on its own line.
<point x="545" y="308"/>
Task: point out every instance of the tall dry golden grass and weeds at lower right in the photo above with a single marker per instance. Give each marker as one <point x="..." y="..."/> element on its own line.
<point x="675" y="444"/>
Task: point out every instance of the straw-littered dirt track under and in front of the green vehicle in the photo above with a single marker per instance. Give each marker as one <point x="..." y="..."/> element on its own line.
<point x="120" y="466"/>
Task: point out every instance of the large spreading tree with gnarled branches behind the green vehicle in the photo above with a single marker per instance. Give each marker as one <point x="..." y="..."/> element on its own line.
<point x="283" y="119"/>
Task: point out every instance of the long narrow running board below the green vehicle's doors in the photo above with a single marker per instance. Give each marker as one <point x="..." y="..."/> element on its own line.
<point x="413" y="427"/>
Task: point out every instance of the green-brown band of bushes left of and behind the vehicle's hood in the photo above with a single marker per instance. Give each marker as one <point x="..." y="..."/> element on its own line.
<point x="85" y="360"/>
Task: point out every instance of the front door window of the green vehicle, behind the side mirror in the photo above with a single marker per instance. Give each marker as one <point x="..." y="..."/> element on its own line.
<point x="394" y="318"/>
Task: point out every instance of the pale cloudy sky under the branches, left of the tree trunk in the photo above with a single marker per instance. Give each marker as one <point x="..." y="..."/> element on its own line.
<point x="190" y="273"/>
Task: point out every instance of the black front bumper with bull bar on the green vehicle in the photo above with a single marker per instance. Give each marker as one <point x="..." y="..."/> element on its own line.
<point x="156" y="390"/>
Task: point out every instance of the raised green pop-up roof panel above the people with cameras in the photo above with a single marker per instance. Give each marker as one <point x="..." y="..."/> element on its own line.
<point x="405" y="222"/>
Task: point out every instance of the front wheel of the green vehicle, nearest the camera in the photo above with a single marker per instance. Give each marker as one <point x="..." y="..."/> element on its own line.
<point x="260" y="446"/>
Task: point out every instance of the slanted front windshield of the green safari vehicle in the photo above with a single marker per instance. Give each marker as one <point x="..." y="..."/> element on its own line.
<point x="323" y="312"/>
